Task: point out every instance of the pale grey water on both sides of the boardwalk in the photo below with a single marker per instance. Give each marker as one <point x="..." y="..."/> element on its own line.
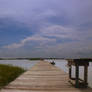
<point x="26" y="64"/>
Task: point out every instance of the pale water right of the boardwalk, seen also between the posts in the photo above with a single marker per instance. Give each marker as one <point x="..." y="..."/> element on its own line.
<point x="63" y="65"/>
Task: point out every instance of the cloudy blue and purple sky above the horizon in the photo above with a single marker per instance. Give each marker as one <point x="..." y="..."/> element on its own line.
<point x="46" y="28"/>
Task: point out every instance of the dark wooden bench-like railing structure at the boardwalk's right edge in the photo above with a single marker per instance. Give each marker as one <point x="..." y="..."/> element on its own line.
<point x="77" y="82"/>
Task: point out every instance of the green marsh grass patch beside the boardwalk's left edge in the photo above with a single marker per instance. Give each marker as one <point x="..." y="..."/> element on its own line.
<point x="8" y="73"/>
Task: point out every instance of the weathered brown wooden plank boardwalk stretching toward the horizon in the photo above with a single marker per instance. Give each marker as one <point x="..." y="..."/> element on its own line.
<point x="43" y="77"/>
